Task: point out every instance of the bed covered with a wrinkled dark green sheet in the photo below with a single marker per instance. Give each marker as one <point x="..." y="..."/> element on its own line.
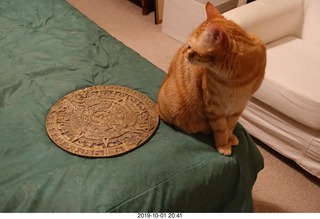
<point x="48" y="50"/>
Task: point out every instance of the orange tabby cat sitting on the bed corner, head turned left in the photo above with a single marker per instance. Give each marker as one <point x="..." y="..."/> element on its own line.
<point x="211" y="79"/>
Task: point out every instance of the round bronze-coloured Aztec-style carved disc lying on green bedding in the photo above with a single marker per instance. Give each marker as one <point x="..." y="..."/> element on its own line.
<point x="102" y="121"/>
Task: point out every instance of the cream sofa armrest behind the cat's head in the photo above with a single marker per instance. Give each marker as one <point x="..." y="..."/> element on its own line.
<point x="270" y="19"/>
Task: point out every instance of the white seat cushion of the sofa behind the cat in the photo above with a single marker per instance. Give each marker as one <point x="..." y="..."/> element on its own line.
<point x="292" y="80"/>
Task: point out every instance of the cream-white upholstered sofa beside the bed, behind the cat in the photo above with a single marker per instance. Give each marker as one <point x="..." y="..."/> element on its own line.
<point x="285" y="112"/>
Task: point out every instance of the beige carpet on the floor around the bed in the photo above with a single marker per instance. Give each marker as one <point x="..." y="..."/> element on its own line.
<point x="281" y="186"/>
